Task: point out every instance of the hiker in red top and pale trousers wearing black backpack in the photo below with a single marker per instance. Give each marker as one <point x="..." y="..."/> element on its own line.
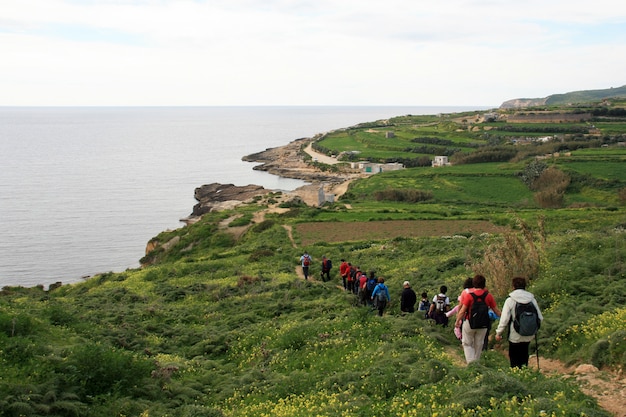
<point x="473" y="318"/>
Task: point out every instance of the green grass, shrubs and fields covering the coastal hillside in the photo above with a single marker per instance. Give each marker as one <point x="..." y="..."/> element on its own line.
<point x="223" y="326"/>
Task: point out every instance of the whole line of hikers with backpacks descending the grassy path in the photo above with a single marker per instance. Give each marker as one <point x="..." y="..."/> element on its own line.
<point x="474" y="314"/>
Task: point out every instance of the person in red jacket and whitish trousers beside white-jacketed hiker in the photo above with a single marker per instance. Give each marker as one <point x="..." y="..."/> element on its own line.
<point x="473" y="339"/>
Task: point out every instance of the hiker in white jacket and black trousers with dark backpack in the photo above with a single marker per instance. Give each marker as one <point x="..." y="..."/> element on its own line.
<point x="518" y="344"/>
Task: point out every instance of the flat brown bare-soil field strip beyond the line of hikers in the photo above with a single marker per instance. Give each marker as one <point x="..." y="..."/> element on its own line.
<point x="311" y="233"/>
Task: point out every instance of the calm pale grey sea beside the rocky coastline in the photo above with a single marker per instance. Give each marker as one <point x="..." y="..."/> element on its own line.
<point x="83" y="189"/>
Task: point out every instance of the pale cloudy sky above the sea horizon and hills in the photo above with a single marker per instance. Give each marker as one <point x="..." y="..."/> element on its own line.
<point x="306" y="52"/>
